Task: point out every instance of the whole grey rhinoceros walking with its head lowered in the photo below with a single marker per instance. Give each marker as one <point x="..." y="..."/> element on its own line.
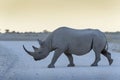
<point x="71" y="41"/>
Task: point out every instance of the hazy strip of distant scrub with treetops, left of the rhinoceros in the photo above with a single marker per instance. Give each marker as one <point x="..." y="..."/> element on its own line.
<point x="23" y="36"/>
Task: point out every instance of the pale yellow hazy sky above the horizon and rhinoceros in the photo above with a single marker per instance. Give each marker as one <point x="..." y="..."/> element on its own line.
<point x="39" y="15"/>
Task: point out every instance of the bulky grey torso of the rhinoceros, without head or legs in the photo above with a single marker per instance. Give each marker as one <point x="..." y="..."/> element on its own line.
<point x="75" y="41"/>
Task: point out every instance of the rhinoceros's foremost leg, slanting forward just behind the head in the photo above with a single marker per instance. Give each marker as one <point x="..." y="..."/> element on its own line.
<point x="57" y="53"/>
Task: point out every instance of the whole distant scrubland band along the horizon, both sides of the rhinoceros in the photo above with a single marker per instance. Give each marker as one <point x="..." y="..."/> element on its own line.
<point x="33" y="36"/>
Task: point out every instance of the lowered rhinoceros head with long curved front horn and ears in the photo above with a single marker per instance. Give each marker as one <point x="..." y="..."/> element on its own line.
<point x="39" y="53"/>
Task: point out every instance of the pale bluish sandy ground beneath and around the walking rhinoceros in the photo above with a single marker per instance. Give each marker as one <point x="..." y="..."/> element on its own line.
<point x="22" y="66"/>
